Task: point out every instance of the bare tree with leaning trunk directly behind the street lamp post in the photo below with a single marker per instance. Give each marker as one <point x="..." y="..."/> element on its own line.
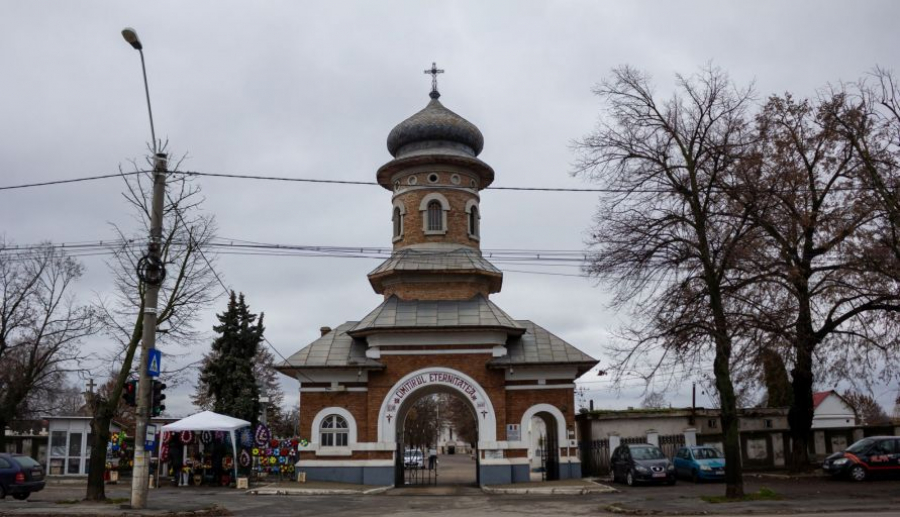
<point x="188" y="288"/>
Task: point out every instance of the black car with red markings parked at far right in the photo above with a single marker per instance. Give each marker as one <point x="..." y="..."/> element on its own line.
<point x="869" y="456"/>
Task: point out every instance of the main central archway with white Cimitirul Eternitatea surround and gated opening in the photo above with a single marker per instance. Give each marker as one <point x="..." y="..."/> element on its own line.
<point x="410" y="417"/>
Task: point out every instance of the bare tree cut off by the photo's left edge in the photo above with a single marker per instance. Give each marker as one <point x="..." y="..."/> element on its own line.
<point x="40" y="327"/>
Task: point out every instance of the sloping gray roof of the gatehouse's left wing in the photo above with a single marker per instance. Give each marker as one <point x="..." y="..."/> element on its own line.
<point x="335" y="349"/>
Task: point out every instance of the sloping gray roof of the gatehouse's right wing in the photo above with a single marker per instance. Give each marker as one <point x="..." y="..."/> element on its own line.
<point x="538" y="346"/>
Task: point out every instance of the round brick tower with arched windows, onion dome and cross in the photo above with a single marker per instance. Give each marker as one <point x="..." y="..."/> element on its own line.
<point x="436" y="178"/>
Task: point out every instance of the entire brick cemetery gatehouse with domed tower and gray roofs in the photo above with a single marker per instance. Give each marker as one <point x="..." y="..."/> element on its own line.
<point x="437" y="331"/>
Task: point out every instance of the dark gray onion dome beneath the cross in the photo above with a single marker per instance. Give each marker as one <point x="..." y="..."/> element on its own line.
<point x="432" y="128"/>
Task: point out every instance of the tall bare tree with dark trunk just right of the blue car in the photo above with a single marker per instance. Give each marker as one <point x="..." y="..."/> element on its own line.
<point x="665" y="237"/>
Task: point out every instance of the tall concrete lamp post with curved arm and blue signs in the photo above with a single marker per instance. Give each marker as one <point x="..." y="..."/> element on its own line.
<point x="151" y="272"/>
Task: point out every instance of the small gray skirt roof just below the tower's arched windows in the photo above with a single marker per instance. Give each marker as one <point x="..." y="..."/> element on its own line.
<point x="461" y="259"/>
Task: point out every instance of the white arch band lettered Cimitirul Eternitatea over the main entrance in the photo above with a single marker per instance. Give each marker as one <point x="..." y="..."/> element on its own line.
<point x="433" y="380"/>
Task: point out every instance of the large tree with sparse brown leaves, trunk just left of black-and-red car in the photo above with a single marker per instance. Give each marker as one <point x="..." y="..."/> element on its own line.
<point x="816" y="290"/>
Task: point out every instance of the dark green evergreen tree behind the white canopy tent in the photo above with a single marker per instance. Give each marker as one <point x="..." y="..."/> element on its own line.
<point x="227" y="378"/>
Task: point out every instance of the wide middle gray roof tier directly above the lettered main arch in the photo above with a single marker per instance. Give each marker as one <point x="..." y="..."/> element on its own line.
<point x="477" y="312"/>
